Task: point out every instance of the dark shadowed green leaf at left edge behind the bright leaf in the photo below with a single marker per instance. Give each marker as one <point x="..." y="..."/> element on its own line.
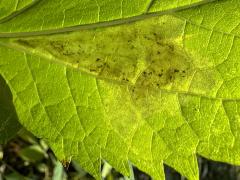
<point x="9" y="125"/>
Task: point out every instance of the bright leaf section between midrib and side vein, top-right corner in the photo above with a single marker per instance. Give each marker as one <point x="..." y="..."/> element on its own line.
<point x="225" y="18"/>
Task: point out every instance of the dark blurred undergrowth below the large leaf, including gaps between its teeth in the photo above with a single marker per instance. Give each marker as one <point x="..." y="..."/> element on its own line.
<point x="26" y="157"/>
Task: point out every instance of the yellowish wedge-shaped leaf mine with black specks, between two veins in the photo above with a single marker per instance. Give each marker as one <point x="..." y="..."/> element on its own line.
<point x="136" y="54"/>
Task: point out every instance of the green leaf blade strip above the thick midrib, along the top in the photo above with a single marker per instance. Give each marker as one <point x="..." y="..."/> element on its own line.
<point x="73" y="13"/>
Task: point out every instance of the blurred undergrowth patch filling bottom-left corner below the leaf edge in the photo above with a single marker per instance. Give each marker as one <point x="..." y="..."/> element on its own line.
<point x="26" y="157"/>
